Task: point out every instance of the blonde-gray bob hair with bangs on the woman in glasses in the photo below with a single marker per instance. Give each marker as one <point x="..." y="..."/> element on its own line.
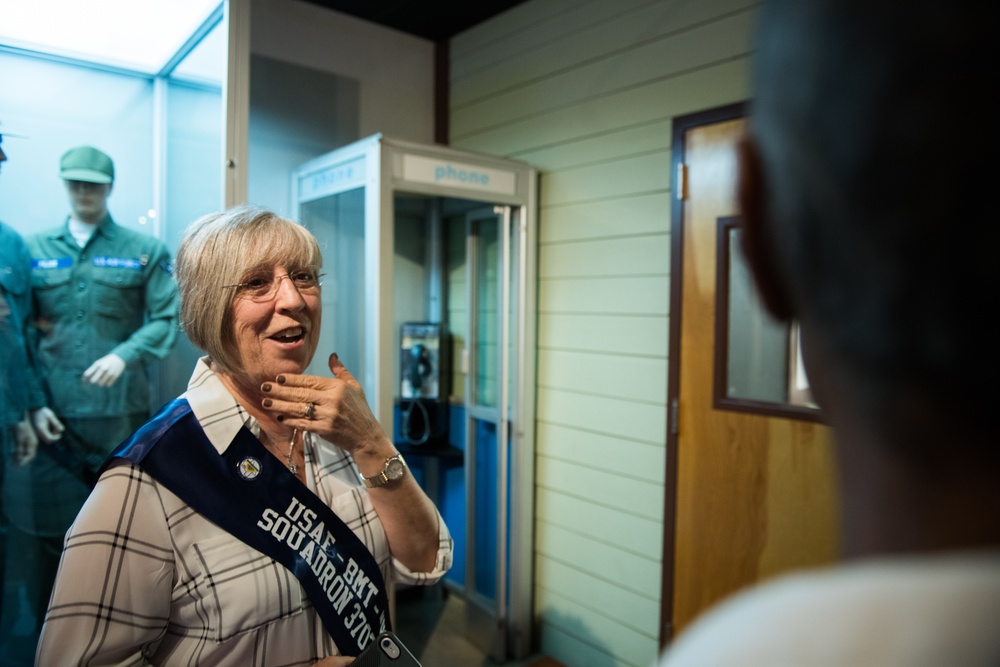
<point x="225" y="249"/>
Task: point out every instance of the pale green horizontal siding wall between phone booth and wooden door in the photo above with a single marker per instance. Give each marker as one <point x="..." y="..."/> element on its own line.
<point x="586" y="90"/>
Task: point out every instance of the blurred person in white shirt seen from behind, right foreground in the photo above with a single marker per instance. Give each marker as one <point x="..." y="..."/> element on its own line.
<point x="865" y="221"/>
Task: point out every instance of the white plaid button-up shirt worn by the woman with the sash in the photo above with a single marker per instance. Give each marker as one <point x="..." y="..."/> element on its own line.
<point x="143" y="576"/>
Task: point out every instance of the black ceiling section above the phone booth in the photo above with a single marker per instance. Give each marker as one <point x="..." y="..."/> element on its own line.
<point x="436" y="20"/>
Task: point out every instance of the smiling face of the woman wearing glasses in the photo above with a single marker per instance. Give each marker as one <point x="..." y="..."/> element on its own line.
<point x="278" y="334"/>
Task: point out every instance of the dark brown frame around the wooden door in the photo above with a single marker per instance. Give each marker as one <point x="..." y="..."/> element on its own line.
<point x="680" y="126"/>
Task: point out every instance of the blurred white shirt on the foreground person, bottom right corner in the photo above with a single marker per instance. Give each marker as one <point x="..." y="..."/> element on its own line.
<point x="915" y="611"/>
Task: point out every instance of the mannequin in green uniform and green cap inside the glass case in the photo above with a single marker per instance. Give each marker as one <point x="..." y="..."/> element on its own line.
<point x="105" y="305"/>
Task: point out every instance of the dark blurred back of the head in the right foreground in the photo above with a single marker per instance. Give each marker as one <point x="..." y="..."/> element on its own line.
<point x="874" y="133"/>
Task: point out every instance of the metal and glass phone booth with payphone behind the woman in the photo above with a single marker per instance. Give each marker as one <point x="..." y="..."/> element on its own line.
<point x="429" y="298"/>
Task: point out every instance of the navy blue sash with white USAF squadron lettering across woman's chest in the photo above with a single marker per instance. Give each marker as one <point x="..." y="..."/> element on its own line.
<point x="250" y="495"/>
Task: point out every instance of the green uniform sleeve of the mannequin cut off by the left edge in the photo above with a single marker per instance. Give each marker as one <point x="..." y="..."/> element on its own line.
<point x="19" y="385"/>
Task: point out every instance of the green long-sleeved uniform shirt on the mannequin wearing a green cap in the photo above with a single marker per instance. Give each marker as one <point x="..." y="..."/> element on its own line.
<point x="116" y="294"/>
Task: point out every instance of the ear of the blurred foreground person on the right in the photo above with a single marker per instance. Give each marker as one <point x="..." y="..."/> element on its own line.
<point x="758" y="246"/>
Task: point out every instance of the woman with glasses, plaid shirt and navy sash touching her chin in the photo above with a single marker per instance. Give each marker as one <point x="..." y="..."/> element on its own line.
<point x="258" y="518"/>
